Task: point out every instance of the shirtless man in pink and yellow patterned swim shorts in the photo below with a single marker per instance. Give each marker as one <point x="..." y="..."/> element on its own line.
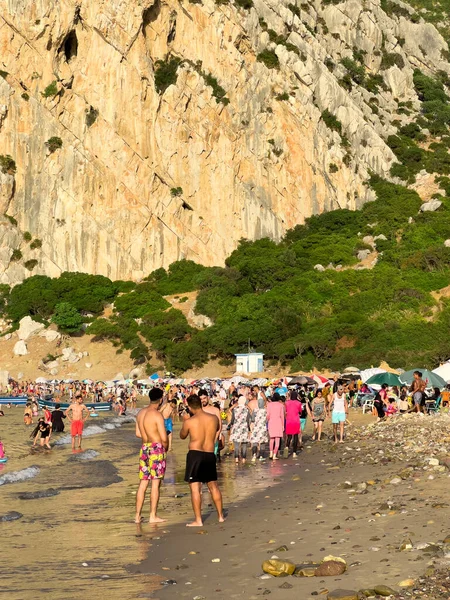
<point x="152" y="458"/>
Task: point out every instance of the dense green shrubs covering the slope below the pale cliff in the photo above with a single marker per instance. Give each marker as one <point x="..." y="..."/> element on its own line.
<point x="270" y="294"/>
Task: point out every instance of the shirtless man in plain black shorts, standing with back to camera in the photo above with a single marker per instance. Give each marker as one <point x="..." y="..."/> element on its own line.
<point x="202" y="428"/>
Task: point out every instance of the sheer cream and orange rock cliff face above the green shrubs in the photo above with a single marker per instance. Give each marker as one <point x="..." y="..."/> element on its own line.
<point x="83" y="71"/>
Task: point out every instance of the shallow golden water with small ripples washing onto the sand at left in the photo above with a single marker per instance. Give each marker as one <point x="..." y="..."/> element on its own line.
<point x="79" y="540"/>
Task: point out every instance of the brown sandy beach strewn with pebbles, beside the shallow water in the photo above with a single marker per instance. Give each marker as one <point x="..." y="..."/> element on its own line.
<point x="309" y="509"/>
